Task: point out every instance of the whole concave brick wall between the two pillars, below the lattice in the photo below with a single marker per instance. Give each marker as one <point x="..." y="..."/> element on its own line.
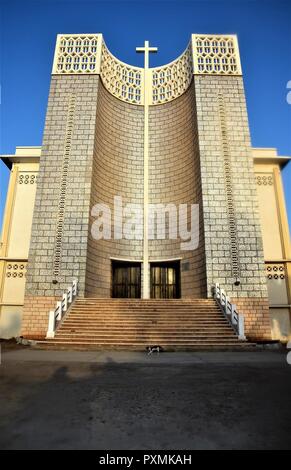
<point x="174" y="177"/>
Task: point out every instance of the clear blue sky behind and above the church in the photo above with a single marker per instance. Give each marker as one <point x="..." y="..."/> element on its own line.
<point x="28" y="32"/>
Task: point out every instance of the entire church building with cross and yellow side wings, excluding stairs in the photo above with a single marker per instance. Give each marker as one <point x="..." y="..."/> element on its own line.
<point x="173" y="137"/>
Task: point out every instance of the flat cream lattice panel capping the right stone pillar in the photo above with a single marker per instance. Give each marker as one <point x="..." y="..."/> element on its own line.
<point x="216" y="55"/>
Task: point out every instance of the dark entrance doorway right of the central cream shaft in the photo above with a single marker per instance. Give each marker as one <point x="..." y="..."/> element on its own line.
<point x="165" y="280"/>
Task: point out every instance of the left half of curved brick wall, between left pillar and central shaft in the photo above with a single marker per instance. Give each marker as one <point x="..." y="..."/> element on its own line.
<point x="117" y="171"/>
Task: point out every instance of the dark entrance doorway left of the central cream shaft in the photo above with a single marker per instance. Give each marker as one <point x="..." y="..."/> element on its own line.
<point x="126" y="279"/>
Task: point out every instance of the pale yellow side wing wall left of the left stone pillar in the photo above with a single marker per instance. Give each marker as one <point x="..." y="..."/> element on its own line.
<point x="15" y="241"/>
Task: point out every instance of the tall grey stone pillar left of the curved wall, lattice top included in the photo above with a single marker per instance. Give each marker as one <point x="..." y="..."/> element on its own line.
<point x="60" y="225"/>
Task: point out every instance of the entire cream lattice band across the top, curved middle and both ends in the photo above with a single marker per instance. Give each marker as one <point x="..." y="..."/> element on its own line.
<point x="204" y="55"/>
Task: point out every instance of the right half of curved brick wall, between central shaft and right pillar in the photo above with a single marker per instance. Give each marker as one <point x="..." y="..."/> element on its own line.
<point x="174" y="177"/>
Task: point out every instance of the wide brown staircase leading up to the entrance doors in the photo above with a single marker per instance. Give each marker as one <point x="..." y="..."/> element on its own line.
<point x="133" y="324"/>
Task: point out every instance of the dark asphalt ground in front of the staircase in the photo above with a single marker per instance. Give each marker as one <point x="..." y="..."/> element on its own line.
<point x="118" y="400"/>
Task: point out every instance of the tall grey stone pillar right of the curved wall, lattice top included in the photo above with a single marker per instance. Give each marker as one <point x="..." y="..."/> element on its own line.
<point x="233" y="242"/>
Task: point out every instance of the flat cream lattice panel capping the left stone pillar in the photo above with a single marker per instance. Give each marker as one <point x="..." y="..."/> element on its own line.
<point x="77" y="54"/>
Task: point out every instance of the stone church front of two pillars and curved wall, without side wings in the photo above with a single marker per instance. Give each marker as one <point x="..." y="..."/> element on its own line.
<point x="175" y="134"/>
